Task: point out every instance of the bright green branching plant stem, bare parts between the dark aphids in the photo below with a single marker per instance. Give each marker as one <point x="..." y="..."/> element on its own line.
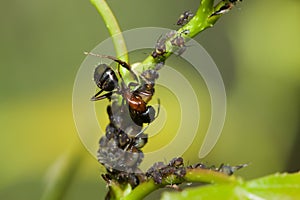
<point x="202" y="20"/>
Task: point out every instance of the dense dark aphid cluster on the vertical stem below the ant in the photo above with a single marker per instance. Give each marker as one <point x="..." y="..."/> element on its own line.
<point x="120" y="149"/>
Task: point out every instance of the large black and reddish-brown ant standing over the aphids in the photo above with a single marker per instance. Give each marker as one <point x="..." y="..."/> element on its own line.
<point x="106" y="79"/>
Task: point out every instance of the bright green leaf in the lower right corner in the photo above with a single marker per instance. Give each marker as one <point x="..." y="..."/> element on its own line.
<point x="277" y="186"/>
